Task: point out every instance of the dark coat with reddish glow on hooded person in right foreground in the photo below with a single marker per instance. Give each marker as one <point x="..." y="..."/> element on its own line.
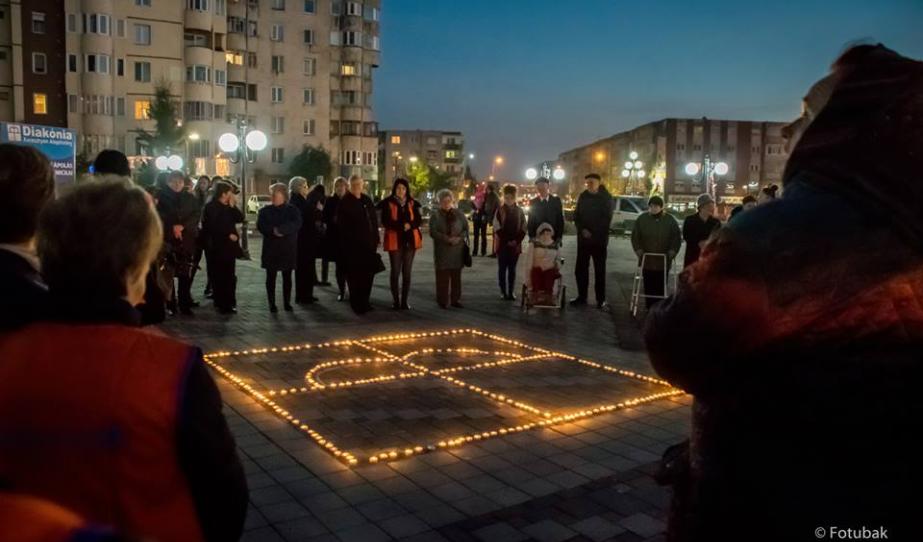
<point x="802" y="351"/>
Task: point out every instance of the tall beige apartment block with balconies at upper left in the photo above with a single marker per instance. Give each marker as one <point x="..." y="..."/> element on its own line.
<point x="299" y="70"/>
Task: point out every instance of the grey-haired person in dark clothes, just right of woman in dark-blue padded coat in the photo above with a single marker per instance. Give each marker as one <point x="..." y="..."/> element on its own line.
<point x="308" y="240"/>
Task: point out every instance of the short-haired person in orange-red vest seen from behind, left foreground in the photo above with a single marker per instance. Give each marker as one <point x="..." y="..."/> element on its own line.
<point x="122" y="426"/>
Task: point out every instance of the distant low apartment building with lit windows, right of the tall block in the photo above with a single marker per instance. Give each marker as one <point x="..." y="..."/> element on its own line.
<point x="400" y="148"/>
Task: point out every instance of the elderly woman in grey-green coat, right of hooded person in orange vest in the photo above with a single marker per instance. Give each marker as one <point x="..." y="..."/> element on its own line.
<point x="449" y="229"/>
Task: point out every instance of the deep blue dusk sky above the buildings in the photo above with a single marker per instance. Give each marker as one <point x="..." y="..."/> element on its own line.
<point x="528" y="79"/>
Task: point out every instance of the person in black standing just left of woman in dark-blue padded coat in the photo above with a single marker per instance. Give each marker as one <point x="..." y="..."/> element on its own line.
<point x="220" y="236"/>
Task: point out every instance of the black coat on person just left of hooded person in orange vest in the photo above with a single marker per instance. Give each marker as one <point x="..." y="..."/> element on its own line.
<point x="357" y="223"/>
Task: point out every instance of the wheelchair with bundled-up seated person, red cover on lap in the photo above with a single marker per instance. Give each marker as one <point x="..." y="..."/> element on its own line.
<point x="540" y="266"/>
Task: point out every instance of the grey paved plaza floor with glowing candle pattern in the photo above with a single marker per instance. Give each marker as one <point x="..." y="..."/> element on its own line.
<point x="482" y="423"/>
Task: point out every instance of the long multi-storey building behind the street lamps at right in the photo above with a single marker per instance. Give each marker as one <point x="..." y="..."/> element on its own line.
<point x="753" y="150"/>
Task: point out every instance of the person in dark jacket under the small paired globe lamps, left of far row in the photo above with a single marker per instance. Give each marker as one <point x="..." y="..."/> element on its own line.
<point x="180" y="215"/>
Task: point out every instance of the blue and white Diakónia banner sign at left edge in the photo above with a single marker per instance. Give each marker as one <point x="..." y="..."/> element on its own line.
<point x="59" y="145"/>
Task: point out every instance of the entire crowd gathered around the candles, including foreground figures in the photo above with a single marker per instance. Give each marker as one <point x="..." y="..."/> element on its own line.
<point x="797" y="326"/>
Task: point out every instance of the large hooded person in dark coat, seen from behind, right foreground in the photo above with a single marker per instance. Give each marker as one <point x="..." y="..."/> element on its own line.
<point x="802" y="324"/>
